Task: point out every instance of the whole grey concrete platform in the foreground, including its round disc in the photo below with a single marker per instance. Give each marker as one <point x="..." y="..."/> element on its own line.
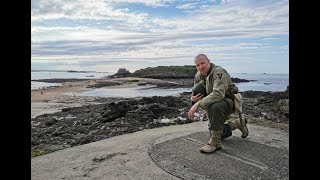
<point x="171" y="153"/>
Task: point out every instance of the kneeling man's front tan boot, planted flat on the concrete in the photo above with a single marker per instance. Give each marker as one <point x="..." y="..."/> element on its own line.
<point x="214" y="143"/>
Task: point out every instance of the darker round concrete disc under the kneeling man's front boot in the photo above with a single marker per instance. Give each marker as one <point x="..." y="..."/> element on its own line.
<point x="238" y="159"/>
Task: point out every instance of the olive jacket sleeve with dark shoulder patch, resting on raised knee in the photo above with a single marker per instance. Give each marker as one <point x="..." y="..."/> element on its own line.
<point x="220" y="85"/>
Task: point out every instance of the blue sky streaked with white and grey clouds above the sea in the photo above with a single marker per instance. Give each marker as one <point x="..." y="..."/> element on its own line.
<point x="242" y="36"/>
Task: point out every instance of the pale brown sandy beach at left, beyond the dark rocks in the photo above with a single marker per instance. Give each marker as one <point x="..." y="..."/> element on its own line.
<point x="50" y="100"/>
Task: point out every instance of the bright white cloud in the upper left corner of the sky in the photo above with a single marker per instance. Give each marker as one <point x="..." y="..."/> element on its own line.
<point x="81" y="10"/>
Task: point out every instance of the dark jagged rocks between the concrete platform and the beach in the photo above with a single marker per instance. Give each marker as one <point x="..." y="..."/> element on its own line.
<point x="116" y="116"/>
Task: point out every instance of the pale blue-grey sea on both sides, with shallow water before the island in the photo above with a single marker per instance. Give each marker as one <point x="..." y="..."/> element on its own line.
<point x="258" y="82"/>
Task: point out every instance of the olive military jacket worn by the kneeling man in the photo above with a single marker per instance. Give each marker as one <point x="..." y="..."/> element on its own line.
<point x="218" y="83"/>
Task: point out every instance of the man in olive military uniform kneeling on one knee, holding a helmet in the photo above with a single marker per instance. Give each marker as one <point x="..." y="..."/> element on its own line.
<point x="213" y="91"/>
